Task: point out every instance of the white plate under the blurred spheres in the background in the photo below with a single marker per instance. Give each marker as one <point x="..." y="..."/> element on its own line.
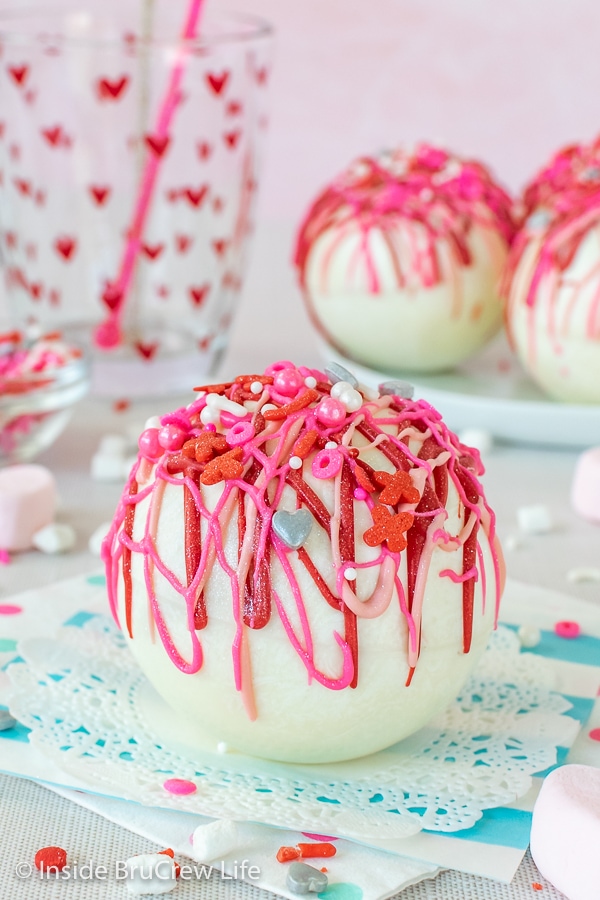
<point x="492" y="391"/>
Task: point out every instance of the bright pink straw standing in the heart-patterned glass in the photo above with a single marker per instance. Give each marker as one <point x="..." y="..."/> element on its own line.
<point x="108" y="333"/>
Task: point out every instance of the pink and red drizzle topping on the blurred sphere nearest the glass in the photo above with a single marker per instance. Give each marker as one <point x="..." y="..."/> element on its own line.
<point x="438" y="194"/>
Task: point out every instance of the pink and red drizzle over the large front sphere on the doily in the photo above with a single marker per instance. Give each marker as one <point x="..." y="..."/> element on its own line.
<point x="251" y="497"/>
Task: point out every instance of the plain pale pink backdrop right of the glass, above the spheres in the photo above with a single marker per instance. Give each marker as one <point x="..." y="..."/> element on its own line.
<point x="507" y="81"/>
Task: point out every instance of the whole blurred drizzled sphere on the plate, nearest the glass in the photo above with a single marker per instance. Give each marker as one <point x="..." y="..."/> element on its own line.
<point x="400" y="261"/>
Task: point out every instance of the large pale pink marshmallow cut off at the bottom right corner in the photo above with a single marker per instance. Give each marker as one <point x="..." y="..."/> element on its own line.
<point x="565" y="831"/>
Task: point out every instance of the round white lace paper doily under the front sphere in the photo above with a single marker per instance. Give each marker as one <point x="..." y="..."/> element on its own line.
<point x="86" y="703"/>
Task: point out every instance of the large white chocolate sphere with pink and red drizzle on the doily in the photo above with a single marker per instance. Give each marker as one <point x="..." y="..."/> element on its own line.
<point x="292" y="689"/>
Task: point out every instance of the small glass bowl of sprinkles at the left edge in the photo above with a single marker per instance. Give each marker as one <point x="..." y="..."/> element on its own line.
<point x="36" y="408"/>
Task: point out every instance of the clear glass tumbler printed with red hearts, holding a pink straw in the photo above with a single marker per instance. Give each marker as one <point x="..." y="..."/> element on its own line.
<point x="130" y="139"/>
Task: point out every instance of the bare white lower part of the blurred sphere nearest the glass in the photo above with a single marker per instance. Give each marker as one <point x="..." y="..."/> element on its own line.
<point x="417" y="328"/>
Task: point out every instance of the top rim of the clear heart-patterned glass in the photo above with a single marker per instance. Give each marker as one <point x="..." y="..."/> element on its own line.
<point x="249" y="28"/>
